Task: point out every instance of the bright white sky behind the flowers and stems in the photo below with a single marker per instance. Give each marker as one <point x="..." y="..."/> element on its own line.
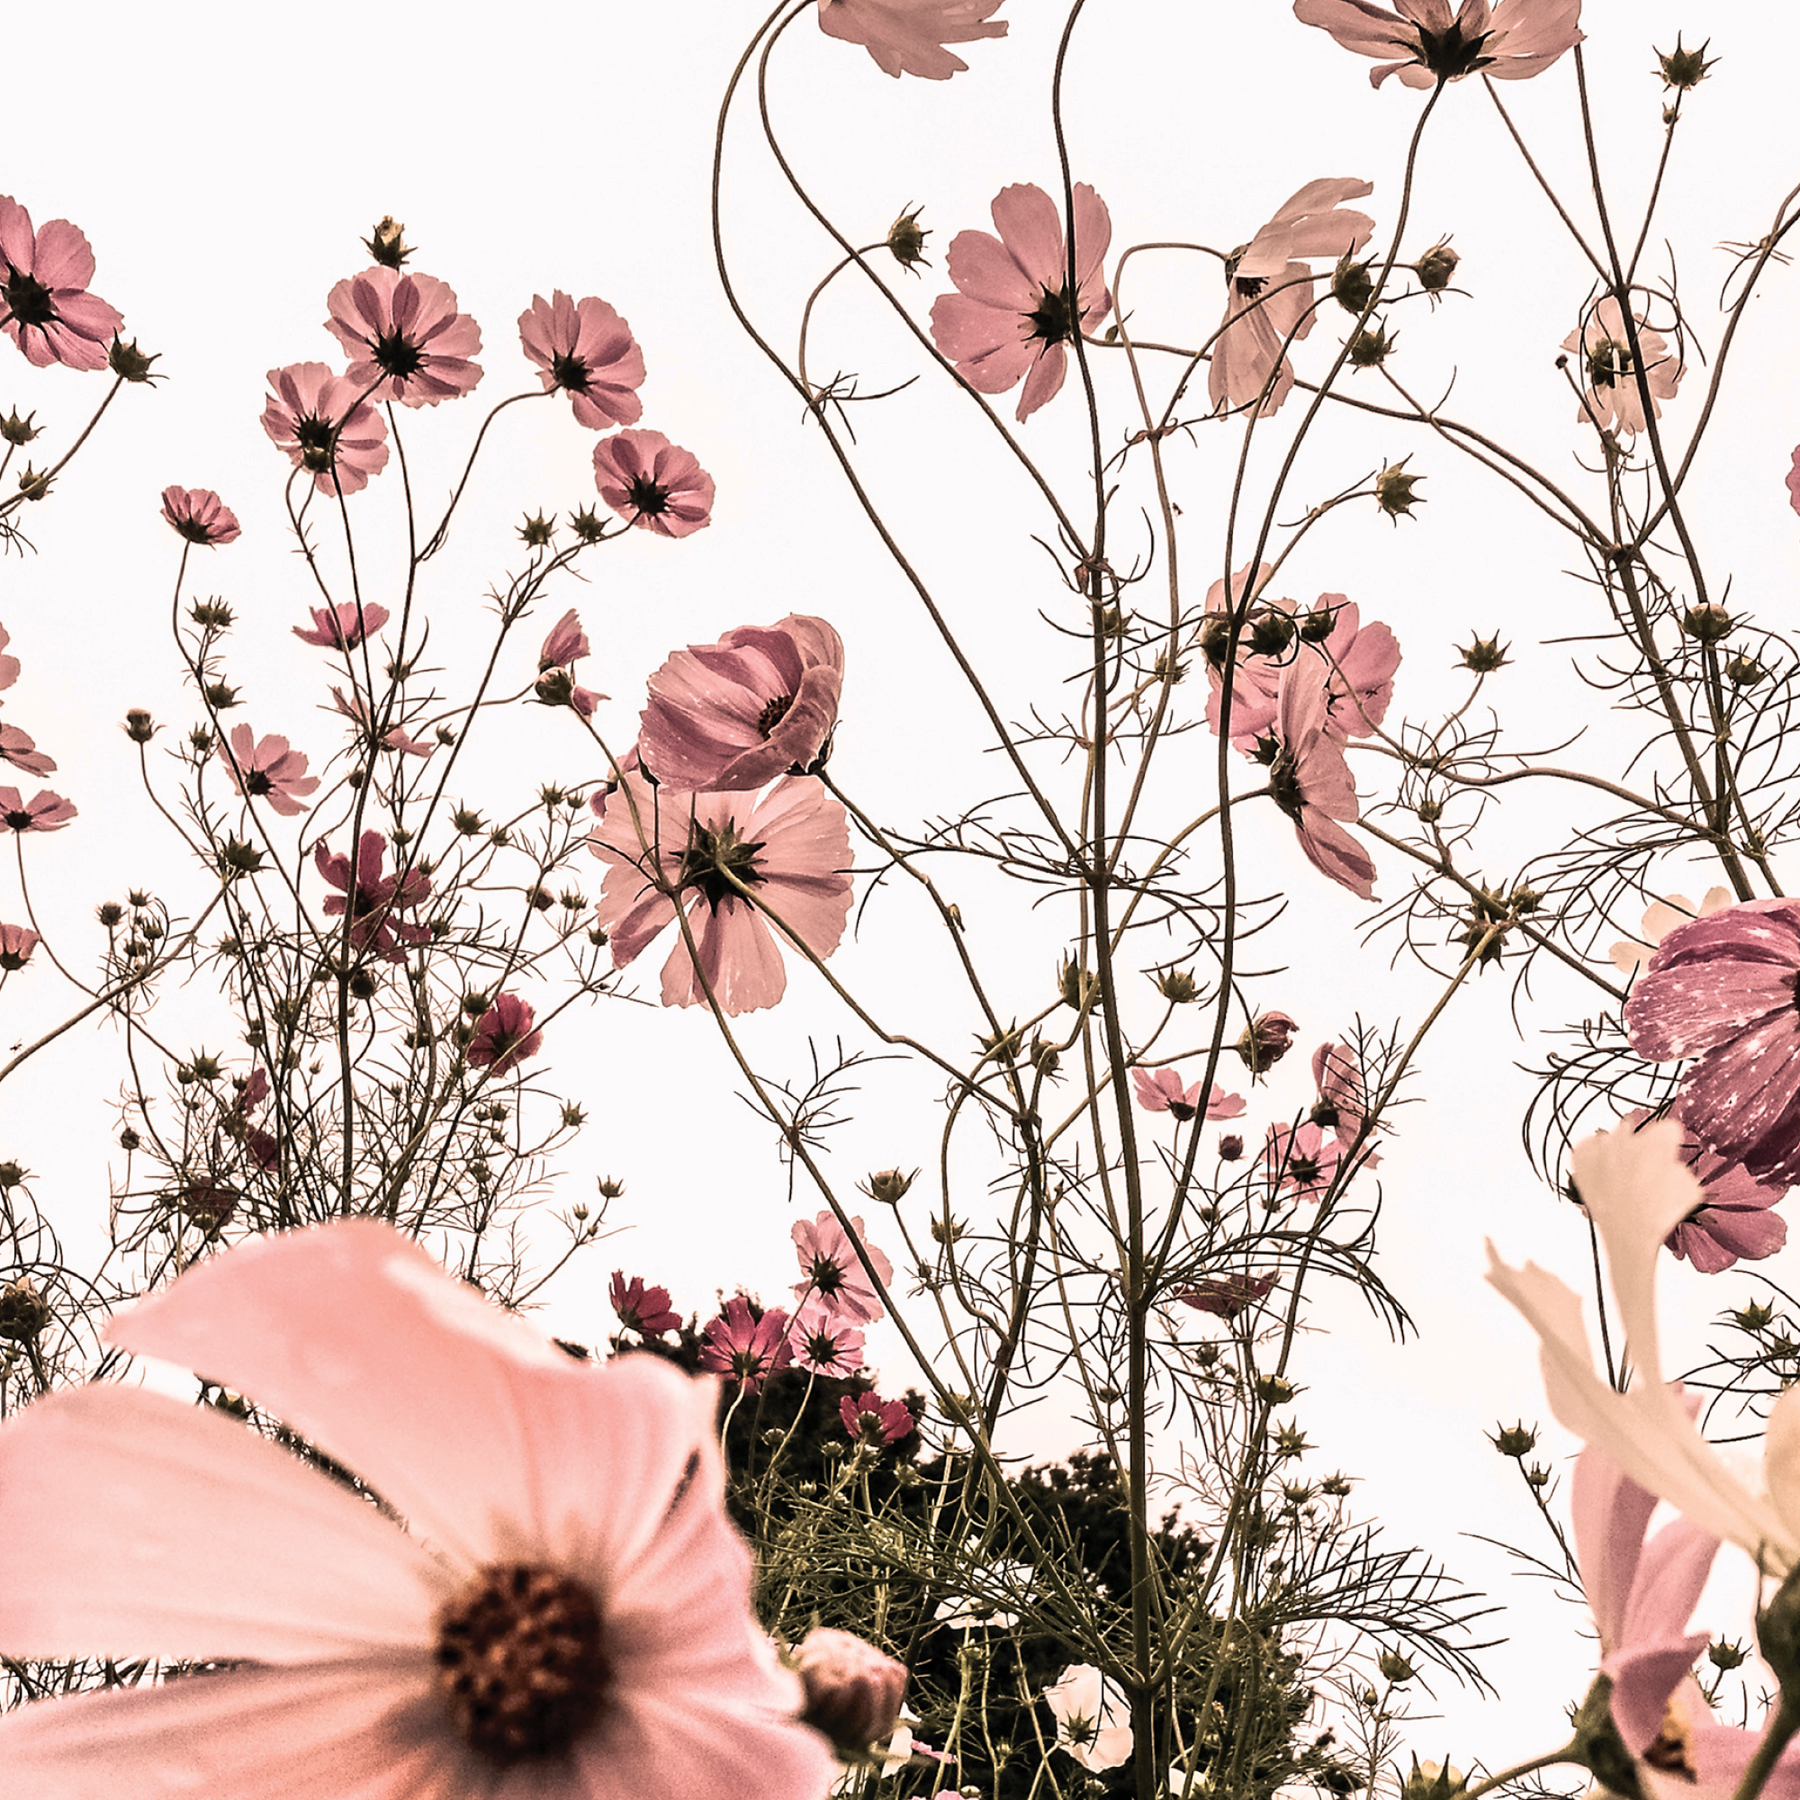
<point x="226" y="166"/>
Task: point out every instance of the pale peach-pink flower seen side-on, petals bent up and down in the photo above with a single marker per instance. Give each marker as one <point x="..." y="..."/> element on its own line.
<point x="1270" y="292"/>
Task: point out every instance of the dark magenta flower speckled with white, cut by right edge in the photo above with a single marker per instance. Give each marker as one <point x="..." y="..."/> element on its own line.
<point x="1722" y="991"/>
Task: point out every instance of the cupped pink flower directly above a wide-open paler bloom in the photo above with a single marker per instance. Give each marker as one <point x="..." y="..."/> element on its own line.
<point x="757" y="705"/>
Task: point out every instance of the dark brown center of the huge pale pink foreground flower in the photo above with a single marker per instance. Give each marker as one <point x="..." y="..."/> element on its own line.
<point x="523" y="1664"/>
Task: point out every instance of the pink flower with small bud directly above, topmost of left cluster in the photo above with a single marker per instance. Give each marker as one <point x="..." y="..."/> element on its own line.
<point x="404" y="336"/>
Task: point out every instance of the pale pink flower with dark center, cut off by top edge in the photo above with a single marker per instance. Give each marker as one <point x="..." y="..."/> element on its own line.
<point x="1432" y="44"/>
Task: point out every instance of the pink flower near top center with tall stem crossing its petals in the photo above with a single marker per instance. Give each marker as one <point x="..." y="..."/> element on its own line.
<point x="1012" y="312"/>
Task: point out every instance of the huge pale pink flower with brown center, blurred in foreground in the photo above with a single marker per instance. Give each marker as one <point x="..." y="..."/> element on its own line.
<point x="566" y="1610"/>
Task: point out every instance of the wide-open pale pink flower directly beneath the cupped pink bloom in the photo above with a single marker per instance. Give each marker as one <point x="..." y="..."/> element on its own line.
<point x="791" y="845"/>
